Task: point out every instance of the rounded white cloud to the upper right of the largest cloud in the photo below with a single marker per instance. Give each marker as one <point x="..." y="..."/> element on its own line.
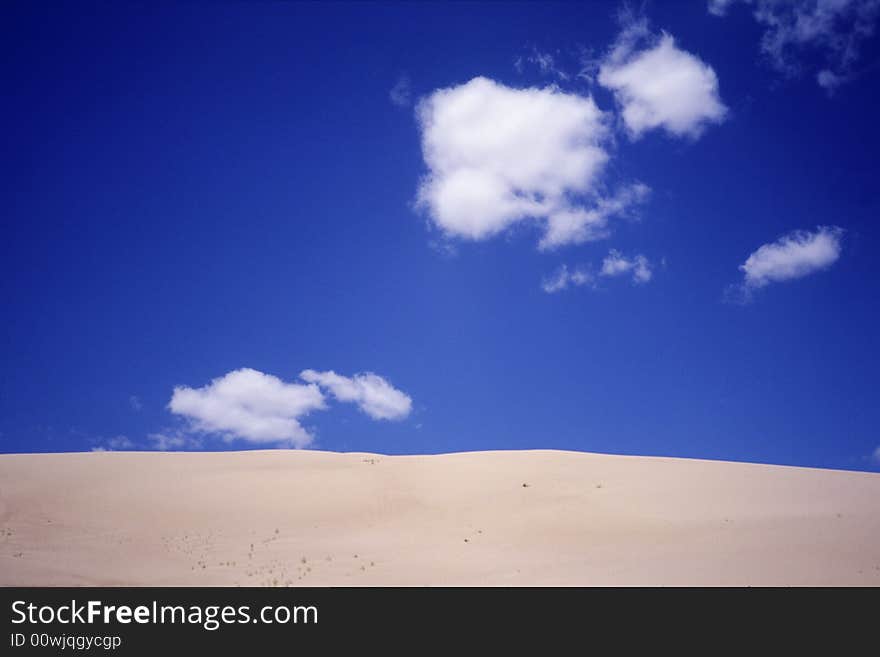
<point x="660" y="85"/>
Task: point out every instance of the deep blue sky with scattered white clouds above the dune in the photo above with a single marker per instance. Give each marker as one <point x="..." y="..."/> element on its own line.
<point x="239" y="193"/>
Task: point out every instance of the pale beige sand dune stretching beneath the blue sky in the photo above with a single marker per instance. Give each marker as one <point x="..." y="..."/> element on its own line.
<point x="305" y="518"/>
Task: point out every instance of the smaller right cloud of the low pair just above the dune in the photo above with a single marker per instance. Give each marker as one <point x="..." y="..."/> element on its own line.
<point x="373" y="394"/>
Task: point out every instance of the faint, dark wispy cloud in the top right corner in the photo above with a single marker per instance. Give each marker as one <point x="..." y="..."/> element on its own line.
<point x="794" y="32"/>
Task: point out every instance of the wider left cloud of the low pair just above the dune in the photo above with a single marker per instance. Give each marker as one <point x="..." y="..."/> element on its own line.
<point x="249" y="405"/>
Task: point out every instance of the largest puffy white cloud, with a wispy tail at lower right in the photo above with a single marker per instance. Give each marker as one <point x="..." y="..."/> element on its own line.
<point x="497" y="156"/>
